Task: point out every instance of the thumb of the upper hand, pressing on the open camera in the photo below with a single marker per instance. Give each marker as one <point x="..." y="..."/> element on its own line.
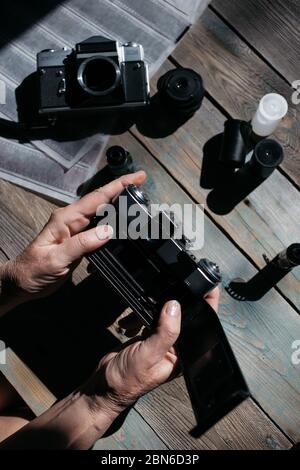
<point x="85" y="242"/>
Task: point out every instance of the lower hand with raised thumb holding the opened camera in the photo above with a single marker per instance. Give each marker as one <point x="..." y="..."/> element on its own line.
<point x="140" y="366"/>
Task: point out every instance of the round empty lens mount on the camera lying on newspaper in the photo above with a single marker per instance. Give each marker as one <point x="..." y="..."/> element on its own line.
<point x="98" y="75"/>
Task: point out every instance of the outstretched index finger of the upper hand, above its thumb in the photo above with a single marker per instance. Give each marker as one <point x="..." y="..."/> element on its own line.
<point x="87" y="206"/>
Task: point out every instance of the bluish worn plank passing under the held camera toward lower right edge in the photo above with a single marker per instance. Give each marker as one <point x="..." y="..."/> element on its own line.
<point x="261" y="333"/>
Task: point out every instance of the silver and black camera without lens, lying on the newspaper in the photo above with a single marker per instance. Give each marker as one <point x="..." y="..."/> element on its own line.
<point x="98" y="74"/>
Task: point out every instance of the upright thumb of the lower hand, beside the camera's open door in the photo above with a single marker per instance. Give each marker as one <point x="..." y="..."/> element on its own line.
<point x="155" y="347"/>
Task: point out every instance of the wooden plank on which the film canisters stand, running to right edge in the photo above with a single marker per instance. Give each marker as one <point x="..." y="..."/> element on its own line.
<point x="265" y="223"/>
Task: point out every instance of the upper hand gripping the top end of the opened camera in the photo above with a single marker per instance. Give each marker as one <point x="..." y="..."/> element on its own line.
<point x="53" y="255"/>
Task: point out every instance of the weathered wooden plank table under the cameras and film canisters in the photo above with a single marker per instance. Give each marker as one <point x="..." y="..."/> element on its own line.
<point x="243" y="50"/>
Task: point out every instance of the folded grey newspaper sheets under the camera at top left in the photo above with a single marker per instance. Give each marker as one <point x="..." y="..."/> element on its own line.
<point x="55" y="168"/>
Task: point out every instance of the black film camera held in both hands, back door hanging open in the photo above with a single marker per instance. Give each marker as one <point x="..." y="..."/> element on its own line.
<point x="147" y="272"/>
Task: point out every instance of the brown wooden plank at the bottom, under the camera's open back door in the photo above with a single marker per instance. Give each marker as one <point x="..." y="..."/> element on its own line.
<point x="245" y="428"/>
